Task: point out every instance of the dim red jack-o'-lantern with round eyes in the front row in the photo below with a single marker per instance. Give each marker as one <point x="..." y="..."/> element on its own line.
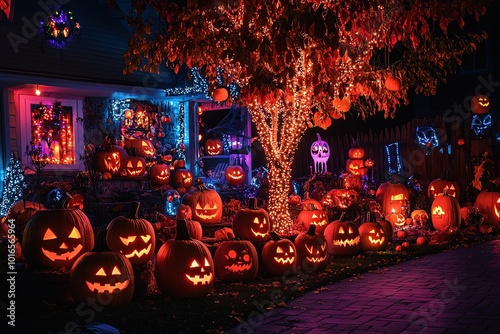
<point x="236" y="261"/>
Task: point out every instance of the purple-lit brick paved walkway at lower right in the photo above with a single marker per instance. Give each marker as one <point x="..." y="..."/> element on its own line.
<point x="457" y="291"/>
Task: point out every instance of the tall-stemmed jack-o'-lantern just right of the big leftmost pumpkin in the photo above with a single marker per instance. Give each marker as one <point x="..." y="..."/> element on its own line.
<point x="132" y="236"/>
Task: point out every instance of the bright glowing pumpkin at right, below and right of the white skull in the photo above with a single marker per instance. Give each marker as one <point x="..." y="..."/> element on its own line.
<point x="393" y="197"/>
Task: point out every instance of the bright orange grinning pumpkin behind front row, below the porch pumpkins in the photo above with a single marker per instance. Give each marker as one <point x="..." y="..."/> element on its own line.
<point x="205" y="204"/>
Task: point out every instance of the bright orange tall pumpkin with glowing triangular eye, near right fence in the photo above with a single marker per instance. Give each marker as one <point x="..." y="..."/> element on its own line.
<point x="445" y="213"/>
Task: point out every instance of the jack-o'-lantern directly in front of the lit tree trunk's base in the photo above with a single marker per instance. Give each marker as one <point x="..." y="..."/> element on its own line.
<point x="279" y="255"/>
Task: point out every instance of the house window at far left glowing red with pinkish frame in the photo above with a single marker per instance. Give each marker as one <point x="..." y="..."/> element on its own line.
<point x="50" y="131"/>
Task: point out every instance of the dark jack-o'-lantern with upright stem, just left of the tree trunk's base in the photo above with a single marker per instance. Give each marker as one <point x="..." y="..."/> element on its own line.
<point x="252" y="223"/>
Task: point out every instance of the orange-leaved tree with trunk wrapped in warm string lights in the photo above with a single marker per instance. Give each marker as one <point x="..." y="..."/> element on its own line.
<point x="291" y="59"/>
